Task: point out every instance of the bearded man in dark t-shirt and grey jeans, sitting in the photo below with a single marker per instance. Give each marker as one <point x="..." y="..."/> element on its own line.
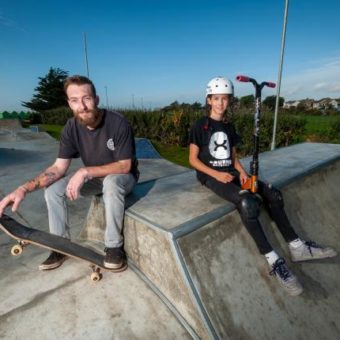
<point x="105" y="143"/>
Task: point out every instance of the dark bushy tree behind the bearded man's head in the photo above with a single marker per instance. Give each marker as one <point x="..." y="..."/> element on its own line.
<point x="49" y="92"/>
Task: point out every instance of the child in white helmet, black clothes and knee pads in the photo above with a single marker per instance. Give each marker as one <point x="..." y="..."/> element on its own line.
<point x="213" y="155"/>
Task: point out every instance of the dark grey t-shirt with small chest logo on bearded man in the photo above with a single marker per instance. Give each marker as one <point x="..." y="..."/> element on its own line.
<point x="111" y="141"/>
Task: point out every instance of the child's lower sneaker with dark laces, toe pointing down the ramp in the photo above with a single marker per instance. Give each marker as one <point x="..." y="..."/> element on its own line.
<point x="286" y="278"/>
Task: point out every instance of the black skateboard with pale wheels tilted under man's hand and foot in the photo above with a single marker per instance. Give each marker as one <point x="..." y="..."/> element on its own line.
<point x="25" y="236"/>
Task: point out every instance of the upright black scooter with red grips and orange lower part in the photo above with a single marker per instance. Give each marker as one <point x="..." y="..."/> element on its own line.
<point x="252" y="183"/>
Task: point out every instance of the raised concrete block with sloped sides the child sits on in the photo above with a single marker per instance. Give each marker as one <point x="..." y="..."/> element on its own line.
<point x="191" y="248"/>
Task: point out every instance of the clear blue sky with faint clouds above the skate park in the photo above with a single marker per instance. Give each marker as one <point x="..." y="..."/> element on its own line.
<point x="151" y="53"/>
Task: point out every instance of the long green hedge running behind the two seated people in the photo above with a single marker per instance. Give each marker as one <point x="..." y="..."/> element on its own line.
<point x="173" y="127"/>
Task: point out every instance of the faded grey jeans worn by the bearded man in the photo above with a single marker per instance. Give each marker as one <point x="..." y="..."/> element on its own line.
<point x="114" y="189"/>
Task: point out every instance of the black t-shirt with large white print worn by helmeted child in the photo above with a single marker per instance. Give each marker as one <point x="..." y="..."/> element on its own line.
<point x="215" y="140"/>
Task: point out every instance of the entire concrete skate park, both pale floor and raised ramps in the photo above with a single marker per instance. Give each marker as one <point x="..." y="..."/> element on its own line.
<point x="194" y="272"/>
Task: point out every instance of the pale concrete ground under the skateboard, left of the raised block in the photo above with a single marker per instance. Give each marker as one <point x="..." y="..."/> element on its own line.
<point x="65" y="304"/>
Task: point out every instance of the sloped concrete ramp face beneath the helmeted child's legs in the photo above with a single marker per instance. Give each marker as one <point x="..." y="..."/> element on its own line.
<point x="240" y="299"/>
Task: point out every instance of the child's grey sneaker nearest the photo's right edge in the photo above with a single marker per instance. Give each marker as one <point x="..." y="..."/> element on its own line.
<point x="309" y="250"/>
